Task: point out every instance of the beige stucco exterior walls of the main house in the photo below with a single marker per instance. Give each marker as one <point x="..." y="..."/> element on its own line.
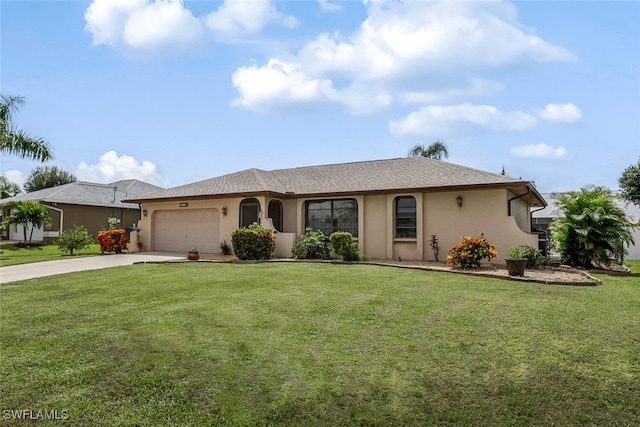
<point x="436" y="214"/>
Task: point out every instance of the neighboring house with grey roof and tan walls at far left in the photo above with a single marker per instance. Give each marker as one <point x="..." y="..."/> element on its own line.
<point x="82" y="203"/>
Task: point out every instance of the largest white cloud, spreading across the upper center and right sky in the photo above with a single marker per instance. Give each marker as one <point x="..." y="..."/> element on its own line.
<point x="403" y="51"/>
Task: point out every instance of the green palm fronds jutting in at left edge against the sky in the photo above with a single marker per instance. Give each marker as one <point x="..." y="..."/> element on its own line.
<point x="14" y="141"/>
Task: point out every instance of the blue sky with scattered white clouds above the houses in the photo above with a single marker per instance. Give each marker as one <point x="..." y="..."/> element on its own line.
<point x="174" y="92"/>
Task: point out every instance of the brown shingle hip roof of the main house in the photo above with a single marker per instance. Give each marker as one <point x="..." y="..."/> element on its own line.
<point x="408" y="173"/>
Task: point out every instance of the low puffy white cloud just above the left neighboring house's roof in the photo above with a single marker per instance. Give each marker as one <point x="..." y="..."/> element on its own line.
<point x="112" y="167"/>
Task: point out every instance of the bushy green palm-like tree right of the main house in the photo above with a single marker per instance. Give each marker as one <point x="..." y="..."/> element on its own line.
<point x="592" y="228"/>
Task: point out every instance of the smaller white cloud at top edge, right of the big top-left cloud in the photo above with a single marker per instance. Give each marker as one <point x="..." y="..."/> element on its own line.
<point x="236" y="17"/>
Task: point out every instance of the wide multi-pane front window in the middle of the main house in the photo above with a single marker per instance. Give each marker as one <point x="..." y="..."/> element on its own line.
<point x="332" y="215"/>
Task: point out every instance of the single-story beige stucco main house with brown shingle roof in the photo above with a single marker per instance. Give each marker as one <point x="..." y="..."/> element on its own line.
<point x="392" y="207"/>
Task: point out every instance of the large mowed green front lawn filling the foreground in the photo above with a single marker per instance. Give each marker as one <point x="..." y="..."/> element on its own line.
<point x="195" y="344"/>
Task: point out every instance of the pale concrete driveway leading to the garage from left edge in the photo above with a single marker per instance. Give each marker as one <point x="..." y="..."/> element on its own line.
<point x="14" y="273"/>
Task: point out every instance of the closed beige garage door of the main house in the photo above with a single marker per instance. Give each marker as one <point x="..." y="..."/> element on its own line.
<point x="180" y="231"/>
